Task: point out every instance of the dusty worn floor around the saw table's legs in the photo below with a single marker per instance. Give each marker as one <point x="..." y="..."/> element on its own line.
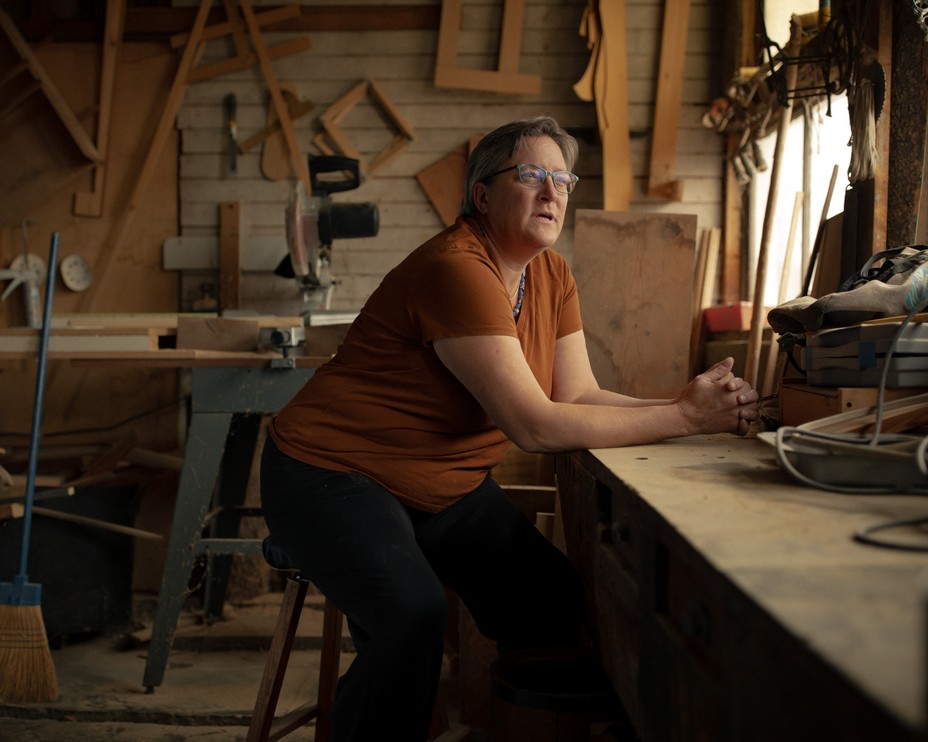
<point x="208" y="691"/>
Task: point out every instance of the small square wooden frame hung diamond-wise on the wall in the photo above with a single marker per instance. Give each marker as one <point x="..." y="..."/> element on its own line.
<point x="336" y="113"/>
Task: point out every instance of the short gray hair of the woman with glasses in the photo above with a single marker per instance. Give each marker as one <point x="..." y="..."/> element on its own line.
<point x="500" y="144"/>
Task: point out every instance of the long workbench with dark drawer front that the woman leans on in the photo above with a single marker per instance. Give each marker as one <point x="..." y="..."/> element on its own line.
<point x="730" y="603"/>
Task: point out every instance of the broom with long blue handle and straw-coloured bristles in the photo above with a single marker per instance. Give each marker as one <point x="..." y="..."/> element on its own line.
<point x="27" y="673"/>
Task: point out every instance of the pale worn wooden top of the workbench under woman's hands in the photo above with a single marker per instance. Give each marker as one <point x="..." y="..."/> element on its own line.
<point x="790" y="549"/>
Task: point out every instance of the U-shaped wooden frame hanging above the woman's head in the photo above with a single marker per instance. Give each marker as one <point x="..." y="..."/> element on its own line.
<point x="506" y="78"/>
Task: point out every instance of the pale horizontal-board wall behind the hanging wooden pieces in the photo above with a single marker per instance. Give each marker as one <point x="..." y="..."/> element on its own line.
<point x="402" y="64"/>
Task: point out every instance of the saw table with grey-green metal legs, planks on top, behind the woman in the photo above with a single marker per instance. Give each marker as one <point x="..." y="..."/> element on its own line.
<point x="230" y="392"/>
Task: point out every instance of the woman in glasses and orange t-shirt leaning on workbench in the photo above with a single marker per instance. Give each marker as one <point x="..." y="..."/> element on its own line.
<point x="375" y="479"/>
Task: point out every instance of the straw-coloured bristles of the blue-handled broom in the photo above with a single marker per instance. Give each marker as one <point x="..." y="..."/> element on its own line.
<point x="27" y="673"/>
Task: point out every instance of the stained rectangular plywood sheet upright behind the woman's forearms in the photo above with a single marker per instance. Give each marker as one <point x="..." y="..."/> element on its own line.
<point x="634" y="274"/>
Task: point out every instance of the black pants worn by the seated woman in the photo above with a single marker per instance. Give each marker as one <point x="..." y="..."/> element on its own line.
<point x="385" y="564"/>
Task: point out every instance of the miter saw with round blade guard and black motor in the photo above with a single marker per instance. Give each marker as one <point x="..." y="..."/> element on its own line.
<point x="314" y="221"/>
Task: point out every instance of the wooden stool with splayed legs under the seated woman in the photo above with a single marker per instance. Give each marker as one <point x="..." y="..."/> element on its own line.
<point x="264" y="726"/>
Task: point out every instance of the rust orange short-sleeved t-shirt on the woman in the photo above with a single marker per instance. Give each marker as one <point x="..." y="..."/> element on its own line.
<point x="387" y="407"/>
